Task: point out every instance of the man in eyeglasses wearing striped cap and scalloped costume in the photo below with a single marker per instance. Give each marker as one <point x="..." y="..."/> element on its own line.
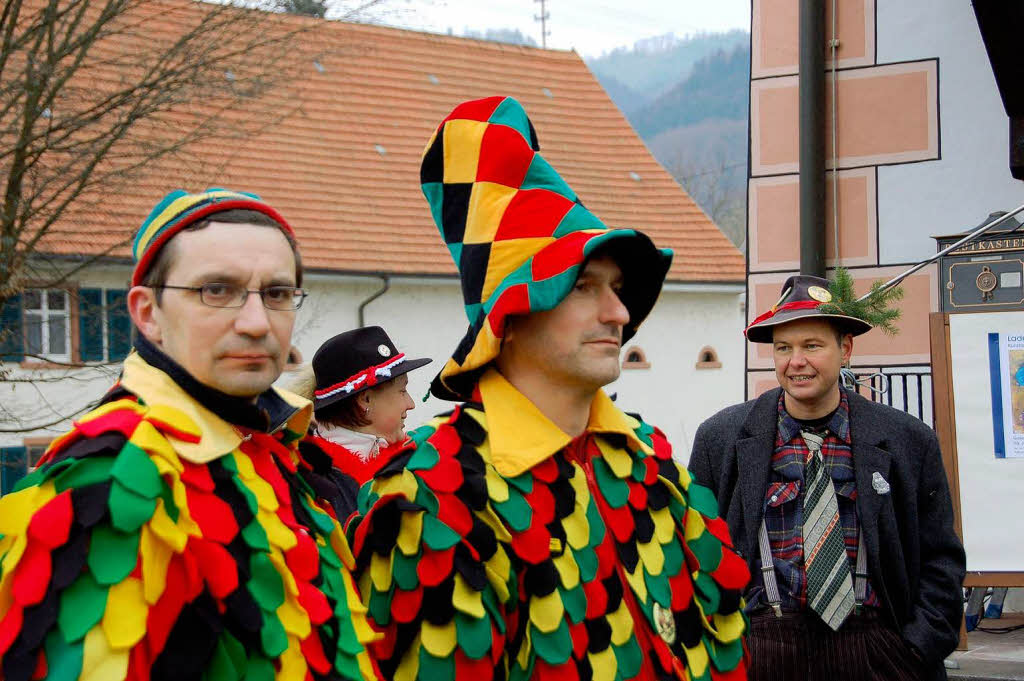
<point x="174" y="534"/>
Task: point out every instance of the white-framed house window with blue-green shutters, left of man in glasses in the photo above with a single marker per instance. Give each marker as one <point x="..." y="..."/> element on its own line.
<point x="66" y="326"/>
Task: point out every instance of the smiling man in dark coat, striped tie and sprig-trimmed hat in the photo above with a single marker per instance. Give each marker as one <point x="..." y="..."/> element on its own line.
<point x="840" y="504"/>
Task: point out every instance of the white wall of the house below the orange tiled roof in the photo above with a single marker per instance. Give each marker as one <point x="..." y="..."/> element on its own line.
<point x="425" y="318"/>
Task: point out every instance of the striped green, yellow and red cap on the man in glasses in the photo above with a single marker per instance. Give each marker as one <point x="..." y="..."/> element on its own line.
<point x="180" y="209"/>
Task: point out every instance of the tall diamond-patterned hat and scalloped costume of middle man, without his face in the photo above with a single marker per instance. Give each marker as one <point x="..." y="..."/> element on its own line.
<point x="498" y="547"/>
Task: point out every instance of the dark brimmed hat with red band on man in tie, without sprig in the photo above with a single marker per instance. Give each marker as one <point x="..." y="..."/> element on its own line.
<point x="802" y="297"/>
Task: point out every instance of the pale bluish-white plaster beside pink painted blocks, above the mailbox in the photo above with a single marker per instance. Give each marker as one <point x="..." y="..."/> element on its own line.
<point x="972" y="178"/>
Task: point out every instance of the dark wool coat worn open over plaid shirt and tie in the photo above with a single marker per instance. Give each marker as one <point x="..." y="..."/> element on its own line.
<point x="916" y="562"/>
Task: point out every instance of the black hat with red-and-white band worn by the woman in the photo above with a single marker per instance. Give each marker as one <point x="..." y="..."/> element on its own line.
<point x="356" y="361"/>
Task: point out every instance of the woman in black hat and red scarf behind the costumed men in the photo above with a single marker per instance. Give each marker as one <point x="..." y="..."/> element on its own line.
<point x="360" y="407"/>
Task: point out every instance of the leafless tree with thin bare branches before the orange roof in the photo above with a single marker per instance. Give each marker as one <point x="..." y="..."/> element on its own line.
<point x="97" y="96"/>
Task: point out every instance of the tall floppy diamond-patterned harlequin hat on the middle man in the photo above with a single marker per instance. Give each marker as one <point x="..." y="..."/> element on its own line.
<point x="518" y="233"/>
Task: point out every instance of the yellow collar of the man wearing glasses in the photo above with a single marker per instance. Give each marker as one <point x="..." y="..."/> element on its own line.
<point x="218" y="437"/>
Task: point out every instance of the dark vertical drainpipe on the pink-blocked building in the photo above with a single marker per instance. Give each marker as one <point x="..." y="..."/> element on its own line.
<point x="813" y="138"/>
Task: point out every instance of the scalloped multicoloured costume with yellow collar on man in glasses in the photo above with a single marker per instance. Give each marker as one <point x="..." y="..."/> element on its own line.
<point x="173" y="535"/>
